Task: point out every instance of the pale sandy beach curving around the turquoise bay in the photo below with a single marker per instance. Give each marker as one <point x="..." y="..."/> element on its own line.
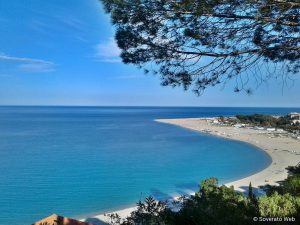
<point x="283" y="150"/>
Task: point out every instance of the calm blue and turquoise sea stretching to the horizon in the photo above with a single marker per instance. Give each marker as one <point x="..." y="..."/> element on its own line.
<point x="76" y="161"/>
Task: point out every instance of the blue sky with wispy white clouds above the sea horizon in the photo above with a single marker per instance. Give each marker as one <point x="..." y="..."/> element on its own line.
<point x="58" y="52"/>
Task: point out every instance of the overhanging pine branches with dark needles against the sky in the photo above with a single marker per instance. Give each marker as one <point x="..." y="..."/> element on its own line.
<point x="203" y="43"/>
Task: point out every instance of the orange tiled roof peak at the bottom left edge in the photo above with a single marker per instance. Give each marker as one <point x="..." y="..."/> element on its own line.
<point x="59" y="220"/>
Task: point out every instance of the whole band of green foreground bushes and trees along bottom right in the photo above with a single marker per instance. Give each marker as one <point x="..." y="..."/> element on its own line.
<point x="221" y="205"/>
